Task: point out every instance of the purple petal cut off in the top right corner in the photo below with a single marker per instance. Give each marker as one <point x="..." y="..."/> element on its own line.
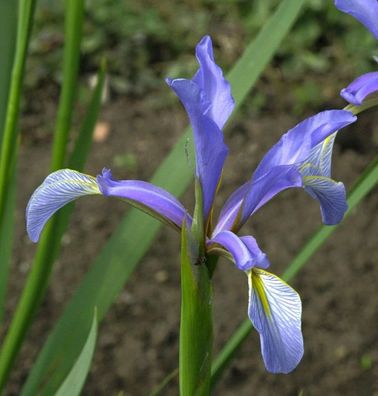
<point x="365" y="11"/>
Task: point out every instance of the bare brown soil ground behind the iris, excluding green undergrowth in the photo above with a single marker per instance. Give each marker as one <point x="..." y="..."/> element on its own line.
<point x="138" y="341"/>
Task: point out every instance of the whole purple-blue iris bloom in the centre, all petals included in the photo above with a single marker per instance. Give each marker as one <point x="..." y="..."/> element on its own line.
<point x="301" y="158"/>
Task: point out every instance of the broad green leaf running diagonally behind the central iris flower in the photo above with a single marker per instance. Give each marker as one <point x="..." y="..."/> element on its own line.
<point x="113" y="267"/>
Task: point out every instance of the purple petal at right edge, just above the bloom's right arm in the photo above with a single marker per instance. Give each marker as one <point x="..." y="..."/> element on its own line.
<point x="360" y="88"/>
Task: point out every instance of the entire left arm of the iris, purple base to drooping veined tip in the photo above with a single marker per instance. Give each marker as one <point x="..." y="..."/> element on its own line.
<point x="66" y="185"/>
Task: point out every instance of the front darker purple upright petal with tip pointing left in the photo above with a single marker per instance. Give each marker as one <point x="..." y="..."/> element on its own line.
<point x="210" y="149"/>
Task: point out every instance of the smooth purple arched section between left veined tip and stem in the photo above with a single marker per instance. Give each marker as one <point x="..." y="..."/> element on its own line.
<point x="145" y="196"/>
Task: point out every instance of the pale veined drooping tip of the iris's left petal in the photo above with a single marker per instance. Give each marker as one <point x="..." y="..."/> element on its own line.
<point x="58" y="189"/>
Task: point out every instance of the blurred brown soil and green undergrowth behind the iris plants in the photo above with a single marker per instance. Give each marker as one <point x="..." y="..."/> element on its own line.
<point x="144" y="42"/>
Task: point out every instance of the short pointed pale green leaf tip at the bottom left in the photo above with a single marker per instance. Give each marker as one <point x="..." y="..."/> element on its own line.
<point x="75" y="379"/>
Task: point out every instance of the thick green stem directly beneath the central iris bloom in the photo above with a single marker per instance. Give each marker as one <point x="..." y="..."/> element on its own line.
<point x="196" y="327"/>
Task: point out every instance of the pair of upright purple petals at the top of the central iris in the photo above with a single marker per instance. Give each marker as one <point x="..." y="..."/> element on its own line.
<point x="208" y="101"/>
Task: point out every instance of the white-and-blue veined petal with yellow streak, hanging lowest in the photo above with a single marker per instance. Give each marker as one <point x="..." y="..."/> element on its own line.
<point x="275" y="310"/>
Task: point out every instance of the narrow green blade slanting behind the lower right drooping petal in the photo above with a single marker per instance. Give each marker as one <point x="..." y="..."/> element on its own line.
<point x="366" y="182"/>
